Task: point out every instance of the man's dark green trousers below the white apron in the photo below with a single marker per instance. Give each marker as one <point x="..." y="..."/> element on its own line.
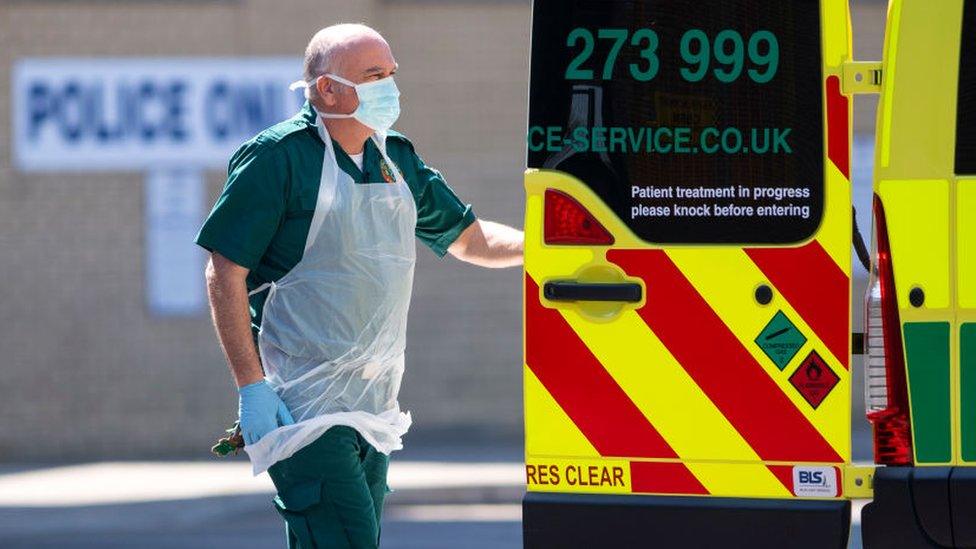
<point x="331" y="492"/>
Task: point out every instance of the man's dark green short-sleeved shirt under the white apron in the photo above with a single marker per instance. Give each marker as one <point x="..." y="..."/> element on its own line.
<point x="262" y="217"/>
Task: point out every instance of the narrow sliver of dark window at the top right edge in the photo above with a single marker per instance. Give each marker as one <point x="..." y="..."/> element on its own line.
<point x="966" y="101"/>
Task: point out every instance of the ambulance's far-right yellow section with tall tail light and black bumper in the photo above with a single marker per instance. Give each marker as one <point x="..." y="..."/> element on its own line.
<point x="923" y="346"/>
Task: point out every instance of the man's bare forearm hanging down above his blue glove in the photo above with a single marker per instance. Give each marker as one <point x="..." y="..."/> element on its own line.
<point x="227" y="288"/>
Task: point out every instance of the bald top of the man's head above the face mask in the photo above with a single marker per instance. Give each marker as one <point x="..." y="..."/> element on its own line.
<point x="338" y="48"/>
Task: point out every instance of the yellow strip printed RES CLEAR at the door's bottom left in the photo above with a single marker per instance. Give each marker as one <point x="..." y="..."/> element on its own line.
<point x="609" y="476"/>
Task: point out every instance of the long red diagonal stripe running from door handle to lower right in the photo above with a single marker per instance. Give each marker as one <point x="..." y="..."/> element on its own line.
<point x="721" y="366"/>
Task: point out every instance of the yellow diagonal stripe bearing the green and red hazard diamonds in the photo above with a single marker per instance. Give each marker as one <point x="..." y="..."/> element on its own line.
<point x="726" y="279"/>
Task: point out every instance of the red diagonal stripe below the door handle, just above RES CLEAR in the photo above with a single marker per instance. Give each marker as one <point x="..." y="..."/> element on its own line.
<point x="582" y="386"/>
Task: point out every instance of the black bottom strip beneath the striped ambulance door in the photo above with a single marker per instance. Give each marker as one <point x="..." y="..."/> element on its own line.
<point x="568" y="521"/>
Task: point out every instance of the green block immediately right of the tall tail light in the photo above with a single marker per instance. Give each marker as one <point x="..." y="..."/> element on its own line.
<point x="927" y="354"/>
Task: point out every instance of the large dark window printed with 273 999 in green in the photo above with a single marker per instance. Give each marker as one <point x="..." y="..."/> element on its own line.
<point x="646" y="131"/>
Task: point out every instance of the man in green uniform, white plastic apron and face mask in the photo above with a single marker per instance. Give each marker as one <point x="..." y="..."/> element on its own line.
<point x="312" y="254"/>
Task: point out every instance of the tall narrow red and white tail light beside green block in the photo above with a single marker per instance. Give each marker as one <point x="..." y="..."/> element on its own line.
<point x="886" y="391"/>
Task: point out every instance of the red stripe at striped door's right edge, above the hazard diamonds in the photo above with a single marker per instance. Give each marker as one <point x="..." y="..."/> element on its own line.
<point x="815" y="286"/>
